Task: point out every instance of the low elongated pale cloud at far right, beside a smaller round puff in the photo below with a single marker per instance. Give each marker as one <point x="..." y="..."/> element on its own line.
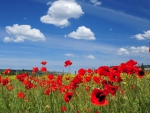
<point x="142" y="49"/>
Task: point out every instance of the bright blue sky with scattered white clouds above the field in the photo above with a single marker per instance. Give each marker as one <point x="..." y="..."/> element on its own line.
<point x="89" y="33"/>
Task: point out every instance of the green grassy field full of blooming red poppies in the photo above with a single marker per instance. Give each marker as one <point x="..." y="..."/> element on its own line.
<point x="118" y="89"/>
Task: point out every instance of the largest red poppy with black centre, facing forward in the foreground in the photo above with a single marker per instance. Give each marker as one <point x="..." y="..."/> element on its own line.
<point x="98" y="97"/>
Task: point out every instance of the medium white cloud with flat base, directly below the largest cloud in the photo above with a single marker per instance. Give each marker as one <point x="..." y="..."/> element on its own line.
<point x="82" y="33"/>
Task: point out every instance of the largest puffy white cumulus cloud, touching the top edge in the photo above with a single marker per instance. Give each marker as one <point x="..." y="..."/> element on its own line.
<point x="60" y="11"/>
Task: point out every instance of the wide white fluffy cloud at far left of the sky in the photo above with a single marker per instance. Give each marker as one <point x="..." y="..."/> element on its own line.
<point x="20" y="33"/>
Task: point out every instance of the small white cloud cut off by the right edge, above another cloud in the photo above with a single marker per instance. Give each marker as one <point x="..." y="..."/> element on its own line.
<point x="144" y="36"/>
